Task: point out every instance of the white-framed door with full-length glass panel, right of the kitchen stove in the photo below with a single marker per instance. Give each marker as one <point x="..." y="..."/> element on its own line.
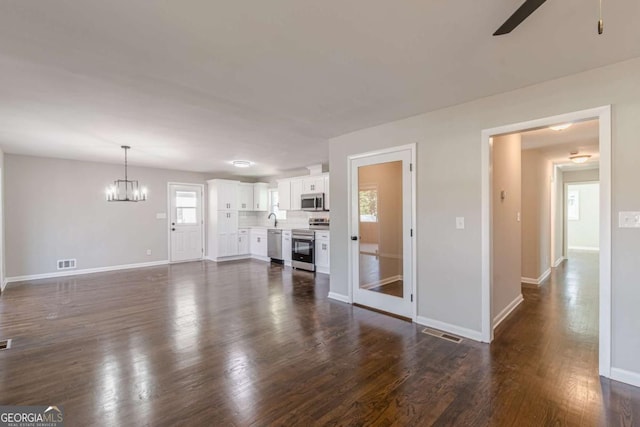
<point x="381" y="227"/>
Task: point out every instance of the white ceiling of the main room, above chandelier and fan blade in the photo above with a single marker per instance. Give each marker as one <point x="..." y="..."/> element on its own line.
<point x="193" y="84"/>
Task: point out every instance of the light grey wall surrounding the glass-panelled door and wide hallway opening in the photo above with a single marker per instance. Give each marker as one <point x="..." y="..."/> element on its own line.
<point x="449" y="185"/>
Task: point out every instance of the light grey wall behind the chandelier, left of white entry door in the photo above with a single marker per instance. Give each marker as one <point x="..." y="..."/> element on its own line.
<point x="56" y="209"/>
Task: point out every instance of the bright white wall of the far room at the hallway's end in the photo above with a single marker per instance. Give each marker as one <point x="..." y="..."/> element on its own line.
<point x="584" y="234"/>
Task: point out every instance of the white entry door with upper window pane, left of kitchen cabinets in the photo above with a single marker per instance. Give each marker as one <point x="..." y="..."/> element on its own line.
<point x="185" y="222"/>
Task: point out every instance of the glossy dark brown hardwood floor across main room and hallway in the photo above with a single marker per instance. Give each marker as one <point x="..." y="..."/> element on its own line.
<point x="248" y="343"/>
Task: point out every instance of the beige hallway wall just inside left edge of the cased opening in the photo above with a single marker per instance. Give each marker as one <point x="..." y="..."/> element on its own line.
<point x="506" y="228"/>
